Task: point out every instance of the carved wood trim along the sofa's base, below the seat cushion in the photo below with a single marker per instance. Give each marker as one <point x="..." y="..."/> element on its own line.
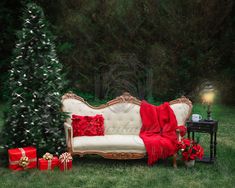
<point x="113" y="155"/>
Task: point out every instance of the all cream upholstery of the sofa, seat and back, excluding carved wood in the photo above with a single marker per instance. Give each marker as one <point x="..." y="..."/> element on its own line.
<point x="122" y="124"/>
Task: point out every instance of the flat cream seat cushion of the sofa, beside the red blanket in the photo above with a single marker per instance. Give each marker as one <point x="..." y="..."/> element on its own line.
<point x="109" y="143"/>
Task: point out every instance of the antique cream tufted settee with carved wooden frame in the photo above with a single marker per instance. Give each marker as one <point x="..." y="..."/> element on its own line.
<point x="122" y="124"/>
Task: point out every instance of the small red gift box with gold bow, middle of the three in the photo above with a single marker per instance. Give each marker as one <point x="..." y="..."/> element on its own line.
<point x="48" y="162"/>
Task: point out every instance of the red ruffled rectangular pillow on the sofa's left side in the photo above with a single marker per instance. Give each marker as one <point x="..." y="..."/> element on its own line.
<point x="88" y="125"/>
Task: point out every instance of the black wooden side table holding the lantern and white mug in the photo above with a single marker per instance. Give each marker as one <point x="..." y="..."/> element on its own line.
<point x="204" y="126"/>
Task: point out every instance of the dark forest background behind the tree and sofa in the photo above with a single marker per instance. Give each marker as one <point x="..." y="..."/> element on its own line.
<point x="155" y="49"/>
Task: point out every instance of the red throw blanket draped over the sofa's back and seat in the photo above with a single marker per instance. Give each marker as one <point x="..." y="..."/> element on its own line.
<point x="158" y="131"/>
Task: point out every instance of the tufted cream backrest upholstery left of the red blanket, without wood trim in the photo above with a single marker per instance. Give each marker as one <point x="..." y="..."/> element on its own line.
<point x="122" y="118"/>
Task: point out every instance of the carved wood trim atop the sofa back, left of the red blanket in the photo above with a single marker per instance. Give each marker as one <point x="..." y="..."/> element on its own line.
<point x="124" y="98"/>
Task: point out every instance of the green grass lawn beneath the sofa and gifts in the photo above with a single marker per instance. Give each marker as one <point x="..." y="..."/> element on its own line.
<point x="93" y="171"/>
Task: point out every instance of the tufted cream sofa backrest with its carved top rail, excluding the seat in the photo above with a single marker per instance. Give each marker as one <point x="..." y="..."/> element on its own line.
<point x="120" y="118"/>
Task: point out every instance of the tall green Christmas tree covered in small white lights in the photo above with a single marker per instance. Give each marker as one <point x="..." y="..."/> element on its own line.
<point x="35" y="83"/>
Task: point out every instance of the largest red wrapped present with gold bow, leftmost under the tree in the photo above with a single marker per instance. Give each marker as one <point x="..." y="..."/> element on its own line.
<point x="22" y="158"/>
